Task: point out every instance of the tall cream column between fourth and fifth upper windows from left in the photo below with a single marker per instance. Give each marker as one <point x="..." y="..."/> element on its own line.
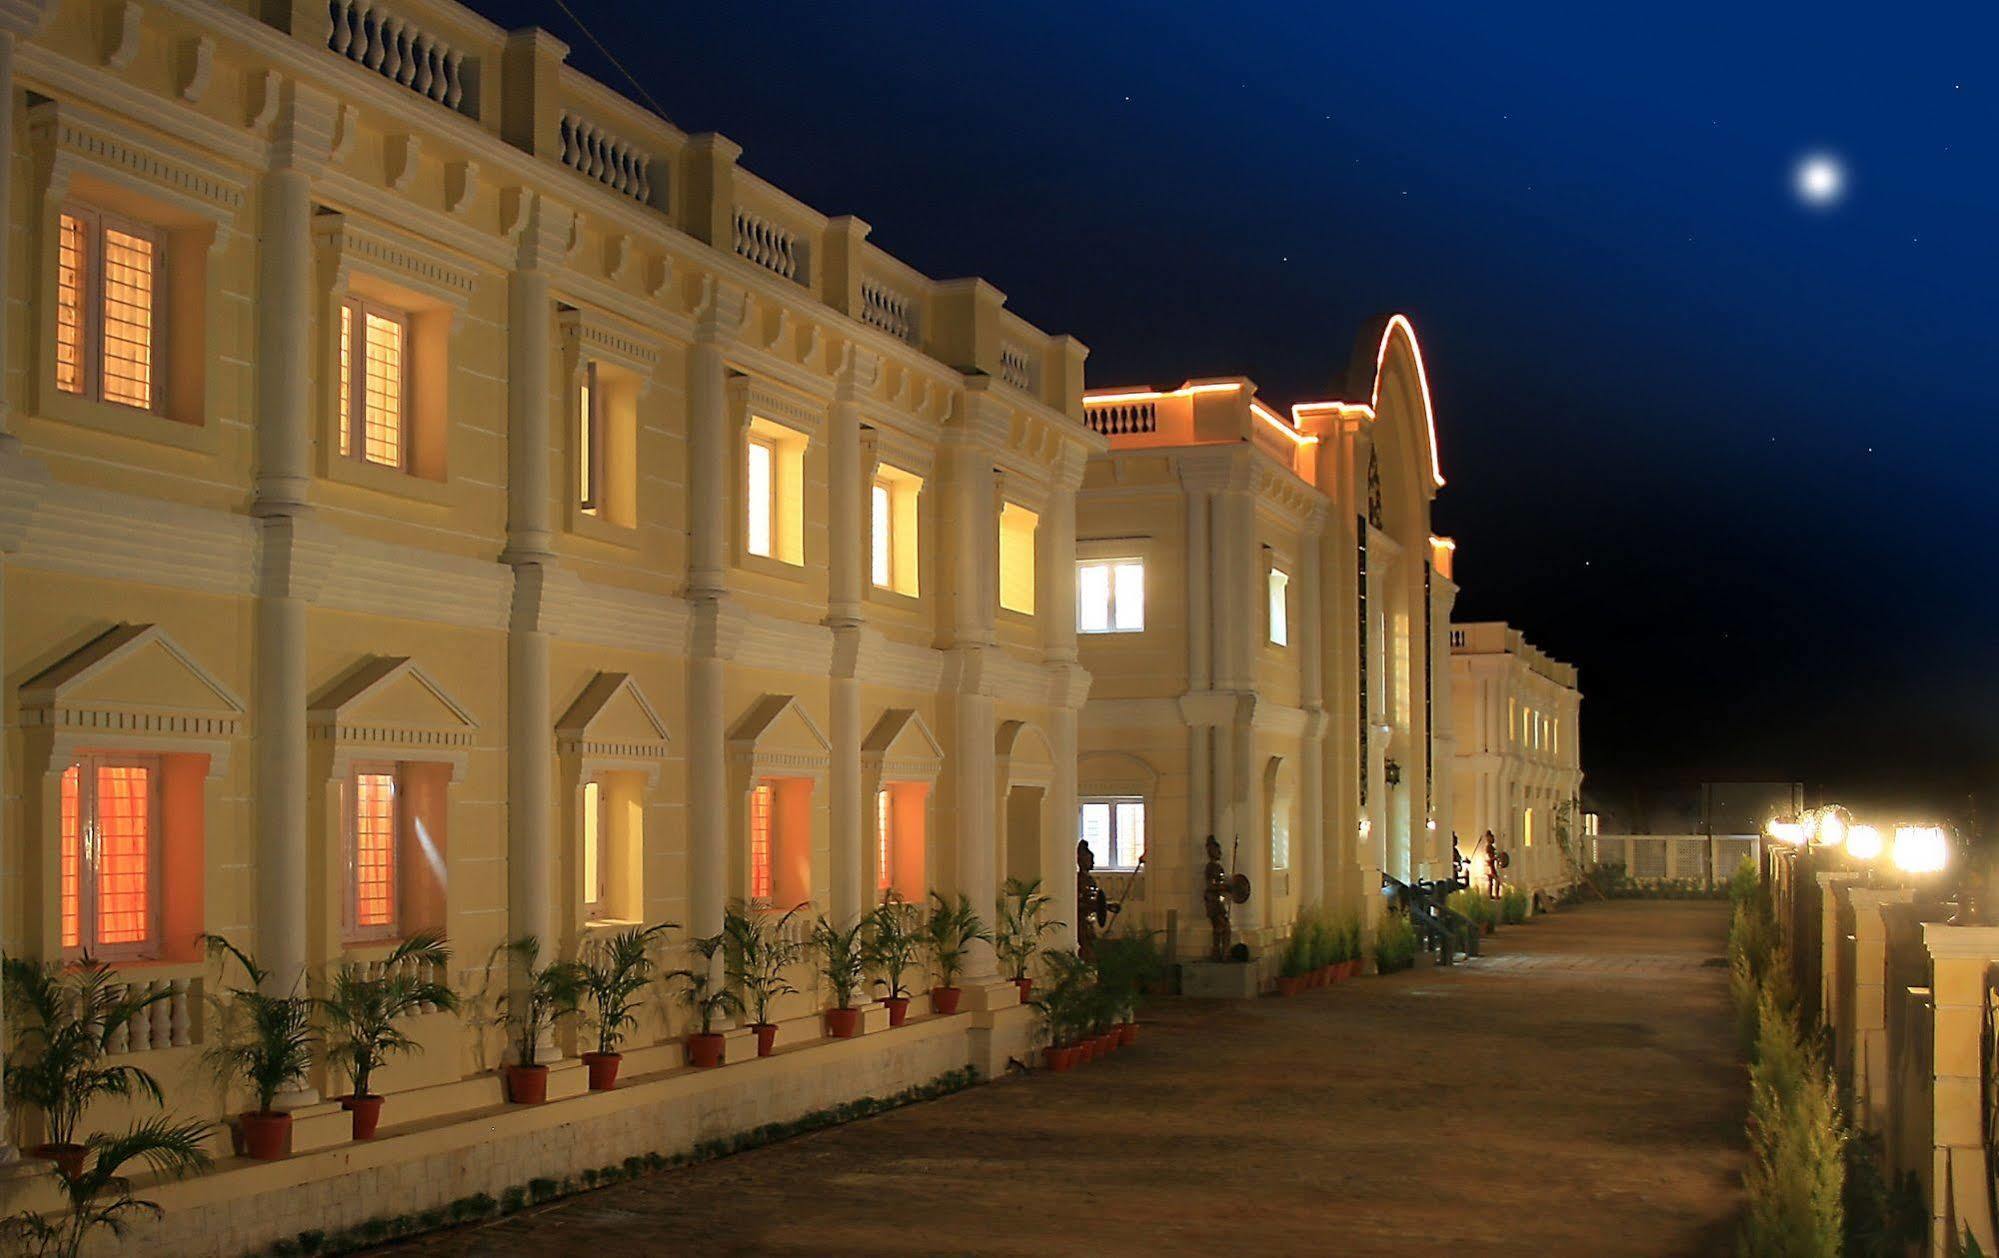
<point x="849" y="531"/>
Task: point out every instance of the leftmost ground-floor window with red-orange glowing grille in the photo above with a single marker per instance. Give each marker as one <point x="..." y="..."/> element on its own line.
<point x="111" y="855"/>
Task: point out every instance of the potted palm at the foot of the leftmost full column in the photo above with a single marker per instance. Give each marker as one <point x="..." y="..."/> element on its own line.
<point x="267" y="1043"/>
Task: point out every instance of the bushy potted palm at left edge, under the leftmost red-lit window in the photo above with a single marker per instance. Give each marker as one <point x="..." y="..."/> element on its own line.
<point x="65" y="1019"/>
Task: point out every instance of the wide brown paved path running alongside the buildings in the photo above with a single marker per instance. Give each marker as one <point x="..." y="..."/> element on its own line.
<point x="1572" y="1093"/>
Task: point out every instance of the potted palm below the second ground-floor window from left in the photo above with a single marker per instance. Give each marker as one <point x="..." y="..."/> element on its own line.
<point x="363" y="1013"/>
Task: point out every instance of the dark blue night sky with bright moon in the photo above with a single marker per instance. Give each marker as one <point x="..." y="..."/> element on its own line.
<point x="1724" y="451"/>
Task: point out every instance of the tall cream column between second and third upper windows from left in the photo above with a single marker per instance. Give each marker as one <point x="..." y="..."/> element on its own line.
<point x="531" y="763"/>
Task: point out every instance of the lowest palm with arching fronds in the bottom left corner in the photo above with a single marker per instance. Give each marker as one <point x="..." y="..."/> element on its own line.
<point x="99" y="1197"/>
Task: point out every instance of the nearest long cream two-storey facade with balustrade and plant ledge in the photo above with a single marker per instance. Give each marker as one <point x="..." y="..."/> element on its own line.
<point x="439" y="495"/>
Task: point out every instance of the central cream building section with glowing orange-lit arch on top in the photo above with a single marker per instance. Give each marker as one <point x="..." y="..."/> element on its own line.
<point x="1262" y="609"/>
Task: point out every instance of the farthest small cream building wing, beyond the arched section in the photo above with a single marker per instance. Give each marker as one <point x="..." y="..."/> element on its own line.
<point x="1520" y="771"/>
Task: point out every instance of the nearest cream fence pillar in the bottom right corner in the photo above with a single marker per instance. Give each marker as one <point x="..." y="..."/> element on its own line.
<point x="1960" y="961"/>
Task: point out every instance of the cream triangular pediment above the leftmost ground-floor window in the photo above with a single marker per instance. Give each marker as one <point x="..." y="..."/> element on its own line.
<point x="141" y="675"/>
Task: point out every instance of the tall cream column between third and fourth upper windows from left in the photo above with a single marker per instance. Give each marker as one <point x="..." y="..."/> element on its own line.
<point x="711" y="475"/>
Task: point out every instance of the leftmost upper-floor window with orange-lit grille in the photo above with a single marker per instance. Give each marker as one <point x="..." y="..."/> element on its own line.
<point x="109" y="309"/>
